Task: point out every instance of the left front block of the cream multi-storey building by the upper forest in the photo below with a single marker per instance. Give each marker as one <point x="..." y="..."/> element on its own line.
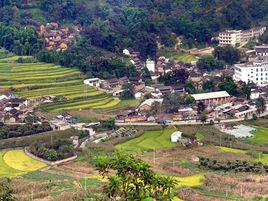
<point x="230" y="37"/>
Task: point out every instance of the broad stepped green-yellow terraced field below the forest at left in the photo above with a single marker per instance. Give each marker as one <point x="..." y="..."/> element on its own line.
<point x="33" y="80"/>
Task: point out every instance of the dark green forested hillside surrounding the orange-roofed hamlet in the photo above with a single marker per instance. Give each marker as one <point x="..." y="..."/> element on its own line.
<point x="110" y="26"/>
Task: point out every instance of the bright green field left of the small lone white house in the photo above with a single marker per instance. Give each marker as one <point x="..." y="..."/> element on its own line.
<point x="149" y="140"/>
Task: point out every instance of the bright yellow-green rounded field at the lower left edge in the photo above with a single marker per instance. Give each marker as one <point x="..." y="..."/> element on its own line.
<point x="16" y="163"/>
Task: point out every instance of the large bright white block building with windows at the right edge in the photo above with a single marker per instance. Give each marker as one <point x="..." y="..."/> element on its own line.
<point x="255" y="71"/>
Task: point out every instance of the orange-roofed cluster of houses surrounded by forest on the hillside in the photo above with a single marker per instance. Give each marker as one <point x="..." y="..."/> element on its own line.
<point x="56" y="36"/>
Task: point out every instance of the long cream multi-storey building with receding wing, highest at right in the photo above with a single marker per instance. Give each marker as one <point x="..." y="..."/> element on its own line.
<point x="233" y="37"/>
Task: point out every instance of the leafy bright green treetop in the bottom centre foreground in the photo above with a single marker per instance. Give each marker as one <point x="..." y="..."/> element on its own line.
<point x="133" y="179"/>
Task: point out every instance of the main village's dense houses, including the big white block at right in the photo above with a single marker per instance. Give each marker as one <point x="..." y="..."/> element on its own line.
<point x="219" y="105"/>
